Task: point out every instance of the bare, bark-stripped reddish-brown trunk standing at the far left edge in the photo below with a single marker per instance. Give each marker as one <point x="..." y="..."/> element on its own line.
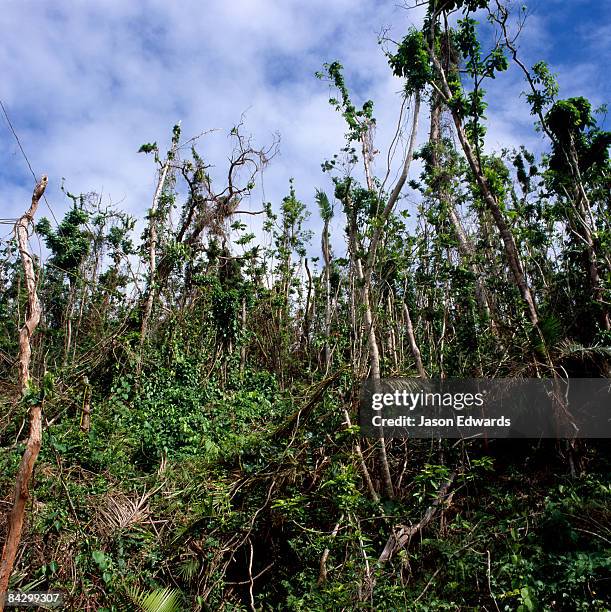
<point x="26" y="468"/>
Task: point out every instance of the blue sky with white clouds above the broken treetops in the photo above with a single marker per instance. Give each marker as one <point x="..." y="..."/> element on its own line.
<point x="86" y="83"/>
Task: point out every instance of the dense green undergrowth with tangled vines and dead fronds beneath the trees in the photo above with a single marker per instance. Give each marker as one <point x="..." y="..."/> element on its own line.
<point x="184" y="485"/>
